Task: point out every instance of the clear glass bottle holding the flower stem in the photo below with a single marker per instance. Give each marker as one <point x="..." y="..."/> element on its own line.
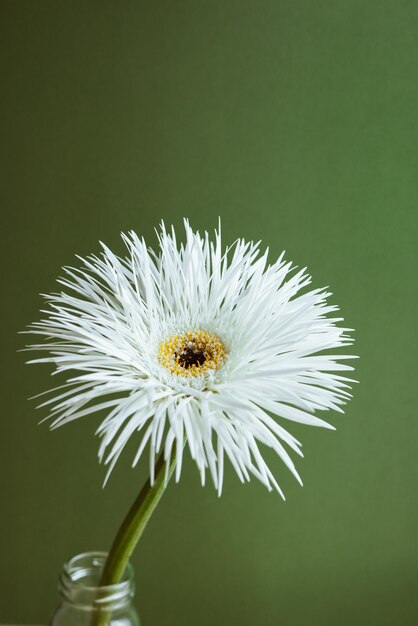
<point x="85" y="603"/>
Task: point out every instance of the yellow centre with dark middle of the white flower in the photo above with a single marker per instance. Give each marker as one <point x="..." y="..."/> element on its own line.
<point x="192" y="354"/>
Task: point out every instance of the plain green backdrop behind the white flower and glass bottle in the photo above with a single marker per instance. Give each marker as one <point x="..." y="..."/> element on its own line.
<point x="296" y="122"/>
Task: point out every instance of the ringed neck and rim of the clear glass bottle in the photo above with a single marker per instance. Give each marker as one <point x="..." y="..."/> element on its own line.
<point x="79" y="584"/>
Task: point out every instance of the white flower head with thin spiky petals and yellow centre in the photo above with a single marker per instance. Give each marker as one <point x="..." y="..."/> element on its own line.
<point x="198" y="344"/>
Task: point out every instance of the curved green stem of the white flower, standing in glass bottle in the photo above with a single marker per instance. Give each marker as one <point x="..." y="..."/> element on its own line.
<point x="133" y="526"/>
